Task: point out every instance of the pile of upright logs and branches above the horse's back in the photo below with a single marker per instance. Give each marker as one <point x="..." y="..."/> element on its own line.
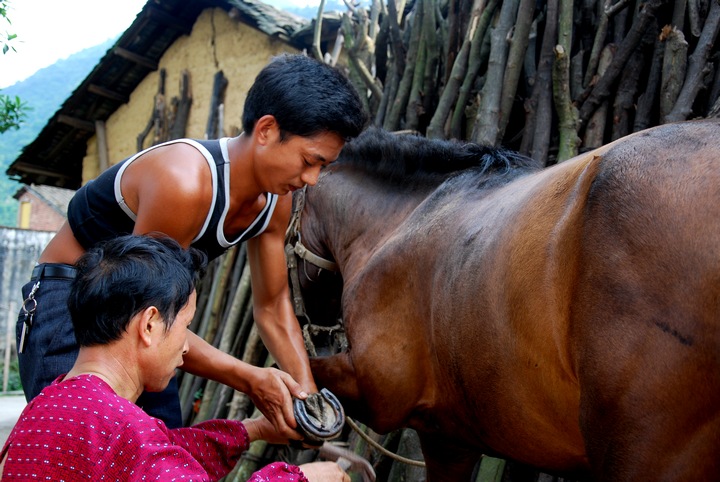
<point x="548" y="78"/>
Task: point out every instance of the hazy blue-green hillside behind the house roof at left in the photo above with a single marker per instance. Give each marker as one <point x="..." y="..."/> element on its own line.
<point x="44" y="93"/>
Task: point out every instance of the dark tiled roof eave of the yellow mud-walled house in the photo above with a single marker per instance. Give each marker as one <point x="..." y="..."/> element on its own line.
<point x="55" y="157"/>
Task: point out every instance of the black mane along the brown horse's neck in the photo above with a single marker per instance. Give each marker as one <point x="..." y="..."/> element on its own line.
<point x="412" y="158"/>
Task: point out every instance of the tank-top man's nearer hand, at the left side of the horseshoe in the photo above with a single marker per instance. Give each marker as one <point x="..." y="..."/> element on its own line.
<point x="271" y="390"/>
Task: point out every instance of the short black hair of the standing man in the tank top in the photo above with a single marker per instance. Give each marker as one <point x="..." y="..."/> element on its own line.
<point x="306" y="97"/>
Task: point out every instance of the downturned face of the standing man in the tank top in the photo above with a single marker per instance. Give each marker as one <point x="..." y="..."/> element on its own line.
<point x="296" y="162"/>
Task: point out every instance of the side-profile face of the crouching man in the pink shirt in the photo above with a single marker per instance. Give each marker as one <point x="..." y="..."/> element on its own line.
<point x="171" y="348"/>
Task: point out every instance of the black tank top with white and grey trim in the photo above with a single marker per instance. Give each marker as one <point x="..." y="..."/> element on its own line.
<point x="98" y="212"/>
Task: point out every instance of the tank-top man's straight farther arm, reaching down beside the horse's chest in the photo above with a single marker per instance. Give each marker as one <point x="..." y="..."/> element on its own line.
<point x="272" y="308"/>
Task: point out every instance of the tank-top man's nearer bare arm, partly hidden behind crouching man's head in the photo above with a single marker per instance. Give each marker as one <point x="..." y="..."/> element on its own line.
<point x="171" y="192"/>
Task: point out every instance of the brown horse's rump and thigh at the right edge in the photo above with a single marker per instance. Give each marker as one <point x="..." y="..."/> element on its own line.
<point x="647" y="305"/>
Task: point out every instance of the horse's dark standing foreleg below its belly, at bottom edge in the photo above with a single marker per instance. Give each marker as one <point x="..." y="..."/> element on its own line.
<point x="446" y="460"/>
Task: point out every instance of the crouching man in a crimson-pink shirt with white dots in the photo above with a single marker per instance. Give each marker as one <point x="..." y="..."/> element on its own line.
<point x="131" y="304"/>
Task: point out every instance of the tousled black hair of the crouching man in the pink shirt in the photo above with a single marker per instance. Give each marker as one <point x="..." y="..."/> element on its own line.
<point x="119" y="278"/>
